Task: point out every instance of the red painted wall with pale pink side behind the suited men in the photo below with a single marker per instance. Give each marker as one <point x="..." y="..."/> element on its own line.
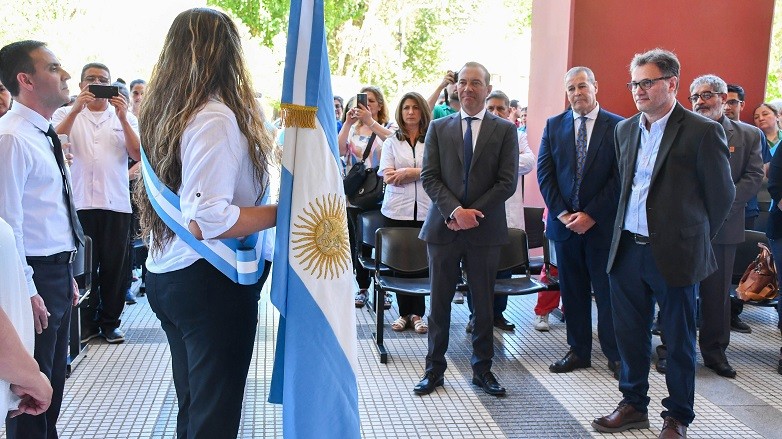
<point x="730" y="39"/>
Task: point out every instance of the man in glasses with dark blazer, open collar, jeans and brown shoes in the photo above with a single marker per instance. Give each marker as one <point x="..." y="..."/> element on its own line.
<point x="675" y="193"/>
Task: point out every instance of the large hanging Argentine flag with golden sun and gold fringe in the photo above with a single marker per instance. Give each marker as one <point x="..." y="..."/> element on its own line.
<point x="314" y="375"/>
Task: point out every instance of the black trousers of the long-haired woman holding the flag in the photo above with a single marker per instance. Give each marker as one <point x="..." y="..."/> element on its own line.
<point x="210" y="323"/>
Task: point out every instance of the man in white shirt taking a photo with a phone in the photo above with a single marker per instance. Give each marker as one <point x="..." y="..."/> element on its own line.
<point x="103" y="134"/>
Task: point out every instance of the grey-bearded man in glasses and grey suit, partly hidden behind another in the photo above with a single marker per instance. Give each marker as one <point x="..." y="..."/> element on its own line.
<point x="708" y="95"/>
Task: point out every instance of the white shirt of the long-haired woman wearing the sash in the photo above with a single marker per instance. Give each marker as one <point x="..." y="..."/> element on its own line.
<point x="217" y="178"/>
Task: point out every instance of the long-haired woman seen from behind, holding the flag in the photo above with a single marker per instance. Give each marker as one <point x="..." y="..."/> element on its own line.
<point x="205" y="141"/>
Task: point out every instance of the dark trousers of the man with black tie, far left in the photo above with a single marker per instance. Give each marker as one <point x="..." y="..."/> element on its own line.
<point x="54" y="285"/>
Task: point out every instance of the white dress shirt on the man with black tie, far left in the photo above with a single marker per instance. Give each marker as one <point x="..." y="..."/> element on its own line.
<point x="31" y="192"/>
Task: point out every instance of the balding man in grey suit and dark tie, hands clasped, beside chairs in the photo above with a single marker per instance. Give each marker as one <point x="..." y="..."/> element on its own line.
<point x="469" y="170"/>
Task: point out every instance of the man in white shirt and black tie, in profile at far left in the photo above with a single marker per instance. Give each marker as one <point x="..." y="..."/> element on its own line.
<point x="36" y="203"/>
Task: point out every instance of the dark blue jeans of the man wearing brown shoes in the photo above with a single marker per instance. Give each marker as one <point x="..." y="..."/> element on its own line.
<point x="635" y="283"/>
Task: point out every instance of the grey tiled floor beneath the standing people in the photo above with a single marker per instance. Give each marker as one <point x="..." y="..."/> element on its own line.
<point x="125" y="391"/>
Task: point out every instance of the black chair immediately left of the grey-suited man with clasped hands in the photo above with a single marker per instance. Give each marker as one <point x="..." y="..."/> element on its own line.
<point x="401" y="267"/>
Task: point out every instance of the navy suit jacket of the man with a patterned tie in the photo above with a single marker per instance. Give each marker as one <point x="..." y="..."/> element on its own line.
<point x="599" y="190"/>
